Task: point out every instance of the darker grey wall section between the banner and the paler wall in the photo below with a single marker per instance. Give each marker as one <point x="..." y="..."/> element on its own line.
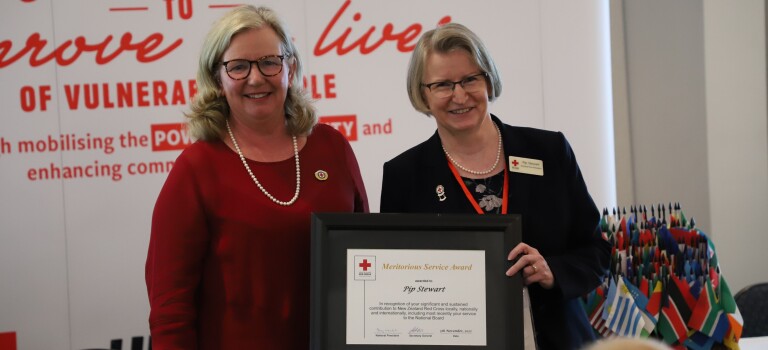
<point x="667" y="131"/>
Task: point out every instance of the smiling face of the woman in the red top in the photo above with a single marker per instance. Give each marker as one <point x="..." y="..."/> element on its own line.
<point x="256" y="98"/>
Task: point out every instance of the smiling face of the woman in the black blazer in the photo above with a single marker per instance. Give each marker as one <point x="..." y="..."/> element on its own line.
<point x="462" y="112"/>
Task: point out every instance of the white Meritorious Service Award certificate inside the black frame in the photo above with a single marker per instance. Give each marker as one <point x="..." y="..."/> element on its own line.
<point x="416" y="297"/>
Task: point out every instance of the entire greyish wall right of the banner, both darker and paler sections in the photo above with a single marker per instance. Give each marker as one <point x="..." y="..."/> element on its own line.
<point x="694" y="111"/>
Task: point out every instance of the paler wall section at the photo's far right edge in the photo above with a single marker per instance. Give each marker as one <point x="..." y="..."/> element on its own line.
<point x="735" y="58"/>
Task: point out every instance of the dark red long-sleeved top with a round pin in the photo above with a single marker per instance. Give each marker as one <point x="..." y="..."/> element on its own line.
<point x="228" y="268"/>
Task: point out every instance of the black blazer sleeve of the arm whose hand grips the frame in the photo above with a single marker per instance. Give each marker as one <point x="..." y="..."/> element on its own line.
<point x="583" y="266"/>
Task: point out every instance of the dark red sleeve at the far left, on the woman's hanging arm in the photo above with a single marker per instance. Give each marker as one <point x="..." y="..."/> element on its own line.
<point x="177" y="245"/>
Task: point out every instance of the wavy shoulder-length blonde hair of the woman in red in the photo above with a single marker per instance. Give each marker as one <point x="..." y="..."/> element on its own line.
<point x="209" y="109"/>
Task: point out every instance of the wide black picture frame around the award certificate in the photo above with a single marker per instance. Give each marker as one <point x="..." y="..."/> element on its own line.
<point x="334" y="233"/>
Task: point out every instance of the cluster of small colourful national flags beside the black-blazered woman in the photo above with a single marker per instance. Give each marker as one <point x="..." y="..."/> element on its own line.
<point x="664" y="282"/>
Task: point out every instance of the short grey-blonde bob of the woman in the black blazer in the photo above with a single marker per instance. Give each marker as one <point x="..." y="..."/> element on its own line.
<point x="444" y="39"/>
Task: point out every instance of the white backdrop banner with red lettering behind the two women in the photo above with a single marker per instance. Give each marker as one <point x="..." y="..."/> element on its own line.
<point x="92" y="96"/>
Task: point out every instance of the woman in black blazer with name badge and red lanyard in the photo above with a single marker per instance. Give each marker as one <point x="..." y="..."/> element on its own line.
<point x="475" y="163"/>
